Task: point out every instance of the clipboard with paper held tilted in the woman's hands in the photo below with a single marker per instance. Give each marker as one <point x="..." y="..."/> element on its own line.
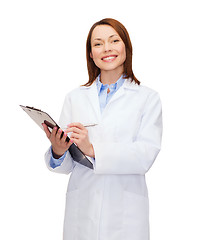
<point x="40" y="117"/>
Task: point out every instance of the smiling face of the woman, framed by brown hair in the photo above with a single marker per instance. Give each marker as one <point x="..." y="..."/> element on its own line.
<point x="107" y="49"/>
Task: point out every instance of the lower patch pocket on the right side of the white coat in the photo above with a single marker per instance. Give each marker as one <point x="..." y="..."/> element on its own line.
<point x="136" y="216"/>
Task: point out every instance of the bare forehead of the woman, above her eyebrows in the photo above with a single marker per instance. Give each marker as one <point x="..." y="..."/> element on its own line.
<point x="103" y="32"/>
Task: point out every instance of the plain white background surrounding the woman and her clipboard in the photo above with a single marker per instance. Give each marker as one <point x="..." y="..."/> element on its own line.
<point x="42" y="57"/>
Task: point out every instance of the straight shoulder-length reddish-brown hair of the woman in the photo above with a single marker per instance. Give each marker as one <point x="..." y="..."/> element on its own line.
<point x="93" y="70"/>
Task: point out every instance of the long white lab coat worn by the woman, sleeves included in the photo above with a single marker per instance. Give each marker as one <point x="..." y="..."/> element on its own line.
<point x="111" y="201"/>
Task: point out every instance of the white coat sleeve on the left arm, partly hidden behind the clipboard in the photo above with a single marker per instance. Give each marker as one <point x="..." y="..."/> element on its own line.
<point x="68" y="164"/>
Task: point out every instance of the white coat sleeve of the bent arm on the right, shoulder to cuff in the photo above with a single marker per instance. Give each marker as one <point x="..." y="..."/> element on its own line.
<point x="133" y="157"/>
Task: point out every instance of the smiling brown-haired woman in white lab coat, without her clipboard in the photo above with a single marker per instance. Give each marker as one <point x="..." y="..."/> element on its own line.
<point x="109" y="202"/>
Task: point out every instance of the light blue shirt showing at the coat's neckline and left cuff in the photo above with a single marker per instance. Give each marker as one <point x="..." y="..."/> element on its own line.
<point x="104" y="98"/>
